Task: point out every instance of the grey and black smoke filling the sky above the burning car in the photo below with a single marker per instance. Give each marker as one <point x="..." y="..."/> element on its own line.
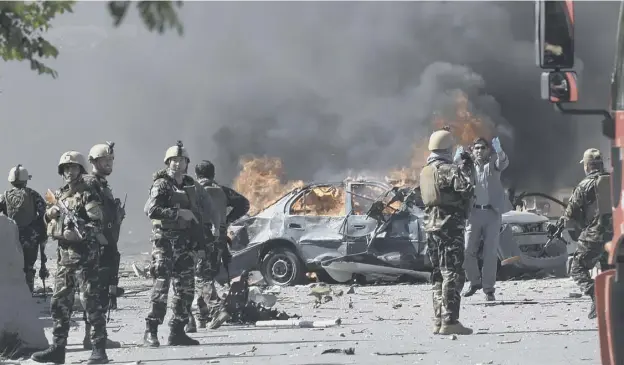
<point x="325" y="86"/>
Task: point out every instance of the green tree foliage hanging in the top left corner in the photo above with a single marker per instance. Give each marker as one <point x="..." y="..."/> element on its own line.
<point x="23" y="26"/>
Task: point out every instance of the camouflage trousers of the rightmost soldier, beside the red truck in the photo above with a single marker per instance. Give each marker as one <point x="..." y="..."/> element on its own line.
<point x="587" y="255"/>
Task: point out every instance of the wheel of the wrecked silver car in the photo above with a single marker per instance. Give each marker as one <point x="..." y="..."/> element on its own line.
<point x="281" y="266"/>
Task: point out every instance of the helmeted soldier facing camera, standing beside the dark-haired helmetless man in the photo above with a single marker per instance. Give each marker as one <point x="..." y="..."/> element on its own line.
<point x="174" y="207"/>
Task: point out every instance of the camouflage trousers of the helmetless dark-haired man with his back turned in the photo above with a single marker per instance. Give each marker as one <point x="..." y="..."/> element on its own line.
<point x="206" y="269"/>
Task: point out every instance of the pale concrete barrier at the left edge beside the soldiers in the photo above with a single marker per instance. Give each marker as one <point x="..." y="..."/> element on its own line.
<point x="18" y="309"/>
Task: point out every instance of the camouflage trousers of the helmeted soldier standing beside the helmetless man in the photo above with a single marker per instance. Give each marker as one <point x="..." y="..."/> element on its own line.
<point x="172" y="263"/>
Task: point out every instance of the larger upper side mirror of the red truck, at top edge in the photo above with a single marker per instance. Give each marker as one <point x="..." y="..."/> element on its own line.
<point x="554" y="34"/>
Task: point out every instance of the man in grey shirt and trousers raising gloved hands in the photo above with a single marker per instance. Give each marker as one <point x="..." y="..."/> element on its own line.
<point x="485" y="218"/>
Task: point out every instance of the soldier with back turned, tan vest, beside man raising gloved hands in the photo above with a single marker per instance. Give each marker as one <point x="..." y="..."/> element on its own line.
<point x="447" y="193"/>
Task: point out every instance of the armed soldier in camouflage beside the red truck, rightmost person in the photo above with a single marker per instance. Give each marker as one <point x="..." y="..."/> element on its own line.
<point x="590" y="207"/>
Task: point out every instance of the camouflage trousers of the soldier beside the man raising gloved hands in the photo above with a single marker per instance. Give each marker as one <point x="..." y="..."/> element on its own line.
<point x="446" y="252"/>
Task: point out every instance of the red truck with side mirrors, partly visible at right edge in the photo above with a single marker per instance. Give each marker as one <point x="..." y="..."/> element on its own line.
<point x="555" y="52"/>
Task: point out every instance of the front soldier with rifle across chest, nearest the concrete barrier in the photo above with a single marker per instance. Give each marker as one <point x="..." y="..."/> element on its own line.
<point x="75" y="220"/>
